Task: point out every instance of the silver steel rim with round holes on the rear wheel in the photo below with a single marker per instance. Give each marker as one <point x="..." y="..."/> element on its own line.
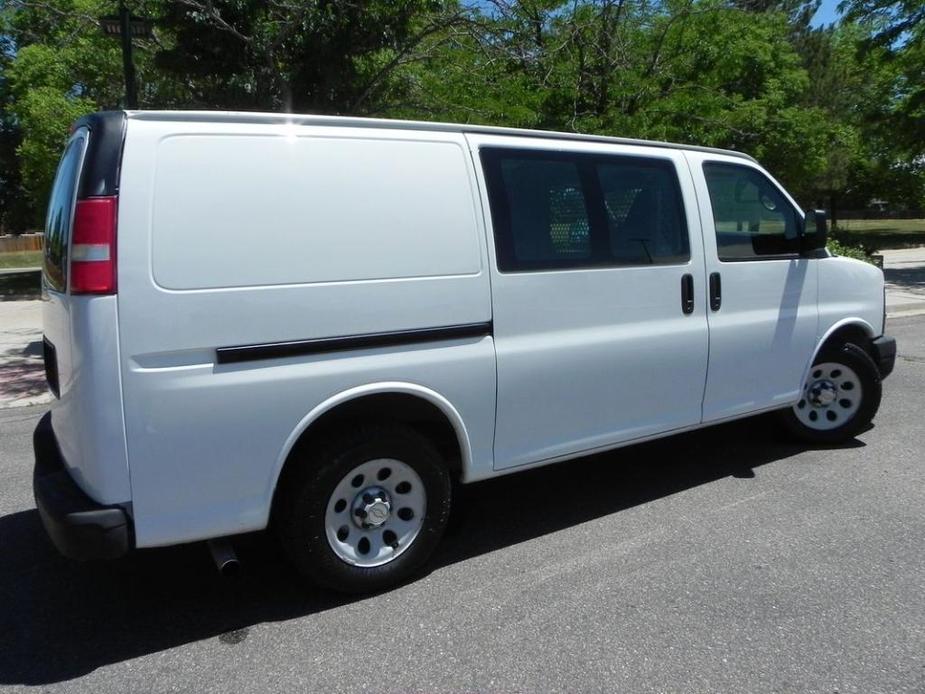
<point x="375" y="512"/>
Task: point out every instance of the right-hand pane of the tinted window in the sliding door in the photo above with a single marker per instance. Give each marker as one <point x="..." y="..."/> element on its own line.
<point x="645" y="217"/>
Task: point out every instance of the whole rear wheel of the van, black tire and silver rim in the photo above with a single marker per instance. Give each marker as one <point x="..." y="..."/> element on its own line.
<point x="365" y="510"/>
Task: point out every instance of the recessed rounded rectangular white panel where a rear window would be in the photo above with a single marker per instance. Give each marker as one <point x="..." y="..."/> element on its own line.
<point x="348" y="208"/>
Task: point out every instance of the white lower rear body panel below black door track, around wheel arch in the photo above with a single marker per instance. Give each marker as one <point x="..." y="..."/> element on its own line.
<point x="206" y="439"/>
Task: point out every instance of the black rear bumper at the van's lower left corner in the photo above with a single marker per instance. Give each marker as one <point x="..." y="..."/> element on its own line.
<point x="79" y="527"/>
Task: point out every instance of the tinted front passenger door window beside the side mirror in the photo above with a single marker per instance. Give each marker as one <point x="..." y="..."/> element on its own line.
<point x="751" y="216"/>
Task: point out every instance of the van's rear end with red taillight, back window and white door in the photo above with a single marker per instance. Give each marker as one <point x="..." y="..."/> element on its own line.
<point x="80" y="313"/>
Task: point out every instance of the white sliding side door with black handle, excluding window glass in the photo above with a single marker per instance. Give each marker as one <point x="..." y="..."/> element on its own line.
<point x="591" y="357"/>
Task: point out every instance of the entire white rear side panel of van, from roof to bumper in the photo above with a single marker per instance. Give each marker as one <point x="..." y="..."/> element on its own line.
<point x="247" y="235"/>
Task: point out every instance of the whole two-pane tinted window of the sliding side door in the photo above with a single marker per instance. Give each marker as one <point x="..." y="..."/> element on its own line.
<point x="555" y="210"/>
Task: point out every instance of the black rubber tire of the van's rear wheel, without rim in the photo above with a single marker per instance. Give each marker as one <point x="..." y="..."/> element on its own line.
<point x="301" y="504"/>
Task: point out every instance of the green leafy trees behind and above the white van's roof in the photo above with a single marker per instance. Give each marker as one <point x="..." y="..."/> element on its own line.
<point x="836" y="113"/>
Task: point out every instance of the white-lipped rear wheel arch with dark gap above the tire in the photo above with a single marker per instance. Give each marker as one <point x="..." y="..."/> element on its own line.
<point x="407" y="403"/>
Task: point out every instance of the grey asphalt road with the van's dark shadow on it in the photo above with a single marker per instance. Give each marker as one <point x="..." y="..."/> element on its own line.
<point x="722" y="560"/>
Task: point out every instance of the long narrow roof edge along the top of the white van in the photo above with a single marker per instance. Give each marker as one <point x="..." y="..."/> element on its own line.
<point x="256" y="117"/>
